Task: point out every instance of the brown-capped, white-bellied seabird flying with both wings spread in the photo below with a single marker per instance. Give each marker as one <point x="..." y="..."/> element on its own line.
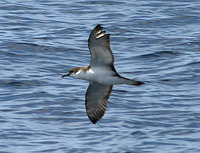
<point x="101" y="73"/>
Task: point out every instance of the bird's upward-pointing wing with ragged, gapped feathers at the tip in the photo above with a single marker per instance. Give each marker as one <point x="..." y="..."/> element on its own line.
<point x="99" y="45"/>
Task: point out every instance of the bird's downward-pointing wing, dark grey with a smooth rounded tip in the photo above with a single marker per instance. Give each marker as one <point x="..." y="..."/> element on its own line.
<point x="96" y="100"/>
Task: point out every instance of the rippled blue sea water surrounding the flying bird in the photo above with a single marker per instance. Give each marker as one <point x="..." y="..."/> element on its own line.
<point x="153" y="41"/>
